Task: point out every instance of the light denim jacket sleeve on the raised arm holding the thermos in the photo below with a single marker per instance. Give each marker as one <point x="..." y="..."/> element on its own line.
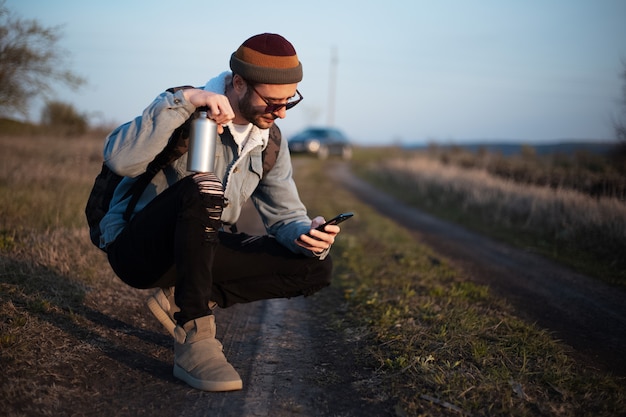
<point x="129" y="148"/>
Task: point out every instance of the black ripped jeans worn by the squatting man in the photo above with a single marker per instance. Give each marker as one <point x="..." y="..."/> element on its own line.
<point x="165" y="244"/>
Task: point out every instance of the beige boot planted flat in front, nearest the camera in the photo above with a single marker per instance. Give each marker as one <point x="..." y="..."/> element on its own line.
<point x="199" y="360"/>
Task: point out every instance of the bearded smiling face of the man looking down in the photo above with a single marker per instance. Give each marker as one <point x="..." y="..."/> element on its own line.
<point x="253" y="104"/>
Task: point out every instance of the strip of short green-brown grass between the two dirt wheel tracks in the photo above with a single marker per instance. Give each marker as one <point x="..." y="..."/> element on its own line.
<point x="443" y="345"/>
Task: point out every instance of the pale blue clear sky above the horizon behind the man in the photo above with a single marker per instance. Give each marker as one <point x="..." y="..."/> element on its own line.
<point x="403" y="71"/>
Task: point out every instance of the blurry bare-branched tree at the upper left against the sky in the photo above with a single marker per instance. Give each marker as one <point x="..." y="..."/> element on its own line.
<point x="30" y="61"/>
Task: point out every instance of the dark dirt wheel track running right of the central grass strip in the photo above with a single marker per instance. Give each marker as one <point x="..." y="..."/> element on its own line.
<point x="586" y="314"/>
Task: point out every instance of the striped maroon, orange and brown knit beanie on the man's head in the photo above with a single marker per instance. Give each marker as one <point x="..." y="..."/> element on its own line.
<point x="267" y="59"/>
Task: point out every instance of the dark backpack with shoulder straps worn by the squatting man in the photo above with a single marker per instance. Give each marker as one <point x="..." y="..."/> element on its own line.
<point x="107" y="181"/>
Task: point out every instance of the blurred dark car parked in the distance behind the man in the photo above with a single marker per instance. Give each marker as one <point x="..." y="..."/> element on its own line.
<point x="321" y="142"/>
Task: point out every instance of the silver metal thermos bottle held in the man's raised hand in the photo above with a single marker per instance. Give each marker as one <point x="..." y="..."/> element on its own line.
<point x="202" y="140"/>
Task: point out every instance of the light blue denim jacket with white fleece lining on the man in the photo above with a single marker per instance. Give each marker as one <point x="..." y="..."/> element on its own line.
<point x="131" y="147"/>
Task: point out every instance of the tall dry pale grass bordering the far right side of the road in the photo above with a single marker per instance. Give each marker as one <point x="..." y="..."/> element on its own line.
<point x="579" y="230"/>
